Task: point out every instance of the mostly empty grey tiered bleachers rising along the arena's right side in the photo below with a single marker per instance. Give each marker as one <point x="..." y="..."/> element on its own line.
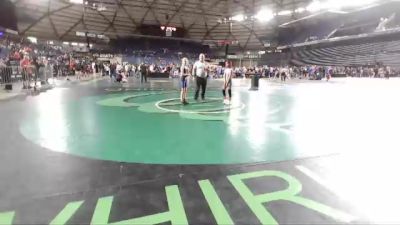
<point x="365" y="37"/>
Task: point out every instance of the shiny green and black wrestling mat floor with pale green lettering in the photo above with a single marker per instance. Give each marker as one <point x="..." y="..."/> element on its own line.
<point x="303" y="152"/>
